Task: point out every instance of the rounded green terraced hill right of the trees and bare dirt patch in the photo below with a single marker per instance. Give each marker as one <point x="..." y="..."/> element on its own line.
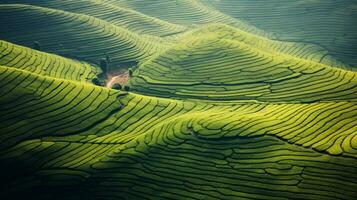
<point x="224" y="64"/>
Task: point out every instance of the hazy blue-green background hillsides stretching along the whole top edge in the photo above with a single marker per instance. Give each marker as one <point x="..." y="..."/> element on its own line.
<point x="300" y="21"/>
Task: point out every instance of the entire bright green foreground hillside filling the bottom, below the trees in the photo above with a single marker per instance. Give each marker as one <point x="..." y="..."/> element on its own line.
<point x="129" y="146"/>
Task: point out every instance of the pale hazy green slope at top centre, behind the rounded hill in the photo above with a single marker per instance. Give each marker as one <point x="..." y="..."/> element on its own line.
<point x="189" y="13"/>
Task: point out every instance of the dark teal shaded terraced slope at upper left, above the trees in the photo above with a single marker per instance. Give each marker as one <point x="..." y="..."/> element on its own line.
<point x="74" y="35"/>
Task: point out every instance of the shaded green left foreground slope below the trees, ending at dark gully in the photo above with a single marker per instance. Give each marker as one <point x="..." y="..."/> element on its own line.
<point x="34" y="106"/>
